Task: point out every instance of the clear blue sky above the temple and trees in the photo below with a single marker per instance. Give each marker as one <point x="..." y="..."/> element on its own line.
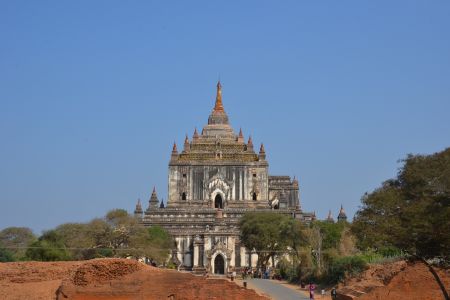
<point x="93" y="94"/>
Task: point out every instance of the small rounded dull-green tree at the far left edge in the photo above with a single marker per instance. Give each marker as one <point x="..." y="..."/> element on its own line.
<point x="16" y="239"/>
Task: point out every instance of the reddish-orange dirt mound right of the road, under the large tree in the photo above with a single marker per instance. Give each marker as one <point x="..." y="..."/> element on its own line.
<point x="399" y="280"/>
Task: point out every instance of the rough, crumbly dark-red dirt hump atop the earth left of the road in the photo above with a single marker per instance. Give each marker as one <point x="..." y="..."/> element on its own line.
<point x="103" y="270"/>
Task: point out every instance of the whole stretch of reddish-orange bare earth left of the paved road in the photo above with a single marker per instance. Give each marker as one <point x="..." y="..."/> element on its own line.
<point x="116" y="279"/>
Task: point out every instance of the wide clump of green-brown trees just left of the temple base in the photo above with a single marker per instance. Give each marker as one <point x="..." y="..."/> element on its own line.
<point x="117" y="235"/>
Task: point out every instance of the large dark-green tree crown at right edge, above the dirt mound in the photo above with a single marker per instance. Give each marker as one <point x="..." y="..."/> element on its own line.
<point x="411" y="212"/>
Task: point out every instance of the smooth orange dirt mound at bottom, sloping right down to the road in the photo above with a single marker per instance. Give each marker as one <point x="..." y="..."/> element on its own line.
<point x="152" y="283"/>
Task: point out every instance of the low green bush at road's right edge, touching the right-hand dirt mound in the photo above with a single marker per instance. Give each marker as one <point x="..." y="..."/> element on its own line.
<point x="346" y="266"/>
